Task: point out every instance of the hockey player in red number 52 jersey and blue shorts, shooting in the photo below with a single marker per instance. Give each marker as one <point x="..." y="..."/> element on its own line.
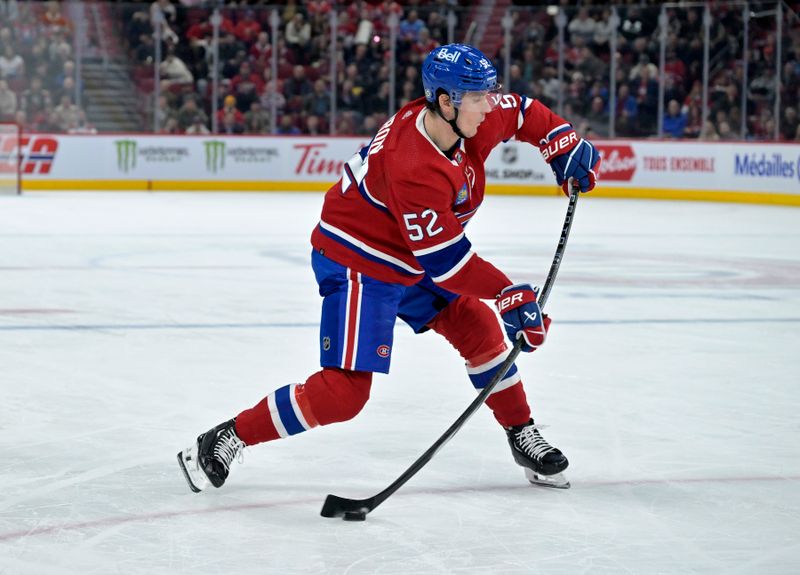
<point x="391" y="243"/>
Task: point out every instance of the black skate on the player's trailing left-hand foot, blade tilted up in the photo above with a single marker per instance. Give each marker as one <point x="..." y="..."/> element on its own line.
<point x="208" y="461"/>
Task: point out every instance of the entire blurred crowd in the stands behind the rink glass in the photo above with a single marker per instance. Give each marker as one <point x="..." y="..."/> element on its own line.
<point x="85" y="66"/>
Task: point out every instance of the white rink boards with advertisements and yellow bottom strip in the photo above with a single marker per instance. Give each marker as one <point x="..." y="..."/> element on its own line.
<point x="753" y="172"/>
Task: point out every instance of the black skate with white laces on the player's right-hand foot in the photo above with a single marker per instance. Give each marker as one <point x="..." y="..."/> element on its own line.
<point x="542" y="462"/>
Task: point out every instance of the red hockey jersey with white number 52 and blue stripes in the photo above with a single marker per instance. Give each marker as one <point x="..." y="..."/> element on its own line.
<point x="400" y="208"/>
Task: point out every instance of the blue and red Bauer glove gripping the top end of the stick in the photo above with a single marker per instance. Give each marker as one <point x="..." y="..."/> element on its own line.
<point x="574" y="161"/>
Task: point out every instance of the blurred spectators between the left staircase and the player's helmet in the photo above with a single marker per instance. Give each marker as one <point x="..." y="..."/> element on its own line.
<point x="300" y="91"/>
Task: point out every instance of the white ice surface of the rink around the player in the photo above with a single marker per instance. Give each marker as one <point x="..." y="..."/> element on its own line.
<point x="129" y="323"/>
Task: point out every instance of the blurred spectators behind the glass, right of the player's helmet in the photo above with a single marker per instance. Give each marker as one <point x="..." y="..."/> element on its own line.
<point x="587" y="59"/>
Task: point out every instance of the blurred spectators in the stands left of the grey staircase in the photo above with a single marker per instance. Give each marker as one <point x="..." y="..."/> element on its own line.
<point x="38" y="81"/>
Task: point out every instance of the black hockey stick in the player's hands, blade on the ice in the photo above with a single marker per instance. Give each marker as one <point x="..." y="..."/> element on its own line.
<point x="357" y="509"/>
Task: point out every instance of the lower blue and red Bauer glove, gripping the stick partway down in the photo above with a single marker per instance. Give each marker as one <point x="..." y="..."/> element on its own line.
<point x="522" y="316"/>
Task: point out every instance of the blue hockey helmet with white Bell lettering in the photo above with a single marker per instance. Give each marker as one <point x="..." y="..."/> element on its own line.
<point x="456" y="69"/>
